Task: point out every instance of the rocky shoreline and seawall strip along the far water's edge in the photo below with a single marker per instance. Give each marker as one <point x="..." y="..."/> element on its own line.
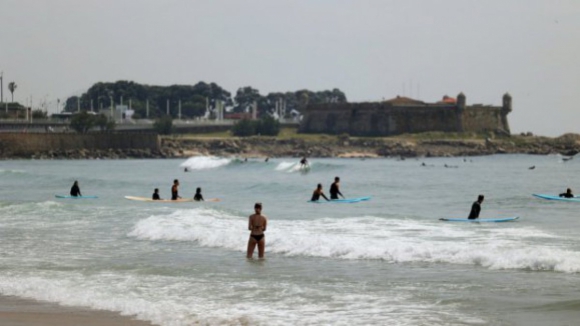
<point x="115" y="146"/>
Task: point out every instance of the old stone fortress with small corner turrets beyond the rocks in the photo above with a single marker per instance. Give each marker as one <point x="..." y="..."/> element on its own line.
<point x="402" y="115"/>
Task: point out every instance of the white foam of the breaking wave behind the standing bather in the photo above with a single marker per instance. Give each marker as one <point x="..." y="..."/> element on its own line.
<point x="391" y="240"/>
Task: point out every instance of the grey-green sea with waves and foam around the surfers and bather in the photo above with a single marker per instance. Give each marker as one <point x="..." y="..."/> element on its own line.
<point x="387" y="261"/>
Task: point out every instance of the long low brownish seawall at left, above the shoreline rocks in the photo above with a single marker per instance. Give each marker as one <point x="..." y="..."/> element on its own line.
<point x="30" y="143"/>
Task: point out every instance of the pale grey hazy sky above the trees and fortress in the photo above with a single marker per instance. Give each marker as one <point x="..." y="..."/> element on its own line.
<point x="369" y="49"/>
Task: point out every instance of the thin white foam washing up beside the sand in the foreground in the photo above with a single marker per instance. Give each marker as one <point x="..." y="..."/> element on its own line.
<point x="179" y="301"/>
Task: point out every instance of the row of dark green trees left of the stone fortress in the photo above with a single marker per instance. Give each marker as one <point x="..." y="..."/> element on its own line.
<point x="195" y="98"/>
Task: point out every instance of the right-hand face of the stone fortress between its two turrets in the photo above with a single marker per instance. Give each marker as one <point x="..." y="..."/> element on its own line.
<point x="484" y="118"/>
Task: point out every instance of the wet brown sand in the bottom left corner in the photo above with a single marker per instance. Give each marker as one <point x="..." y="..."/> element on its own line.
<point x="19" y="312"/>
